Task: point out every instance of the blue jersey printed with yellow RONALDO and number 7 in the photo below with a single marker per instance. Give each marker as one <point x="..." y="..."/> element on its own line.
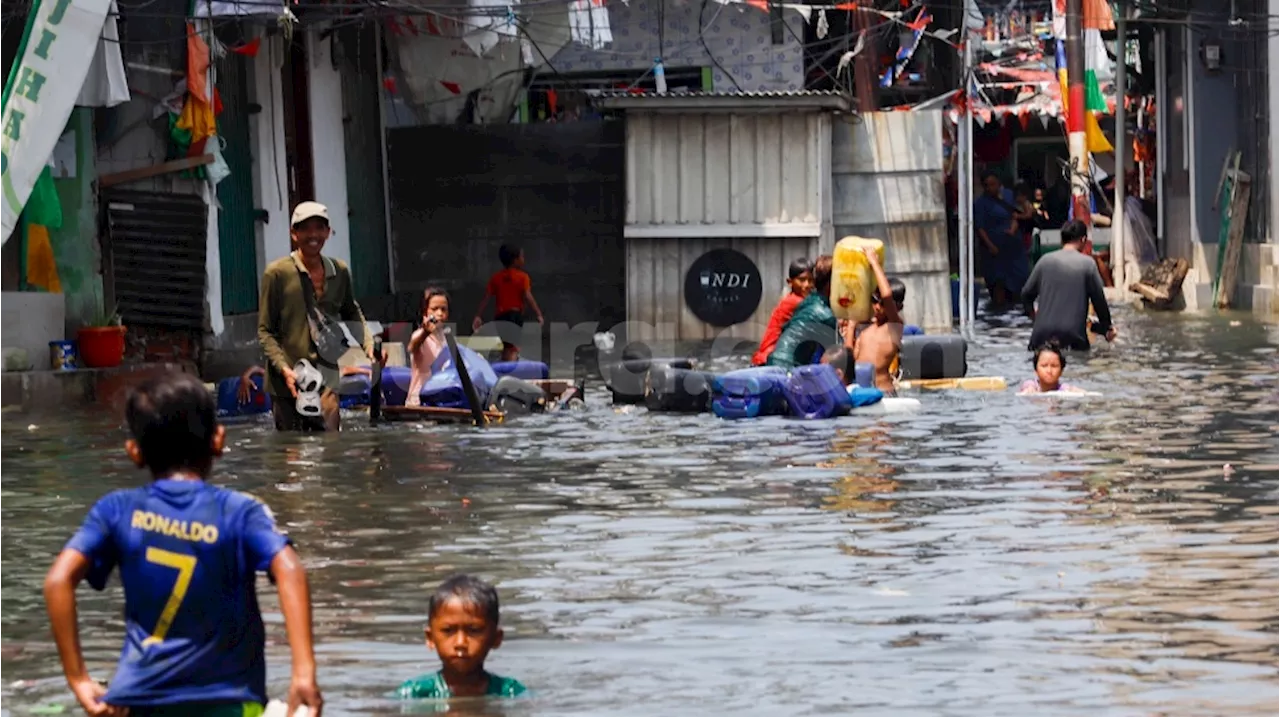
<point x="189" y="554"/>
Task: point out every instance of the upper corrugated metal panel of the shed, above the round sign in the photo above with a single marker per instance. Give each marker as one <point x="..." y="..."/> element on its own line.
<point x="725" y="175"/>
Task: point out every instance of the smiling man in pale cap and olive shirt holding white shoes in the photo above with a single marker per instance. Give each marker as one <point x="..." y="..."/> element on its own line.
<point x="301" y="296"/>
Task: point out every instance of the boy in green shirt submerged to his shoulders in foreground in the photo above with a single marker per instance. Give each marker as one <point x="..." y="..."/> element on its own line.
<point x="463" y="628"/>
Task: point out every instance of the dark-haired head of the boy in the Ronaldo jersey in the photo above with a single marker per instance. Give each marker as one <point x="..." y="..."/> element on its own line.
<point x="173" y="426"/>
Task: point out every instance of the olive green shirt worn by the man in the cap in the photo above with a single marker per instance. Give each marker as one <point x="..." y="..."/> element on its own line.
<point x="284" y="330"/>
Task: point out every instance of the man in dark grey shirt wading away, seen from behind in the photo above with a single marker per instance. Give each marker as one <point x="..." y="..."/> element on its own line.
<point x="1066" y="282"/>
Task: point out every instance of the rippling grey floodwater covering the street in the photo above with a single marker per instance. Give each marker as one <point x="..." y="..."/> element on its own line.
<point x="990" y="555"/>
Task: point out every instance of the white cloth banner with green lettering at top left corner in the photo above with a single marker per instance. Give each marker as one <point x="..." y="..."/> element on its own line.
<point x="58" y="49"/>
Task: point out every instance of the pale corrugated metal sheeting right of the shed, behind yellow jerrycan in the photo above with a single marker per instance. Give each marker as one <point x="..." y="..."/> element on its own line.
<point x="888" y="185"/>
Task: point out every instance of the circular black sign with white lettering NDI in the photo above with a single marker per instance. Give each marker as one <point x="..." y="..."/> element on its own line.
<point x="723" y="287"/>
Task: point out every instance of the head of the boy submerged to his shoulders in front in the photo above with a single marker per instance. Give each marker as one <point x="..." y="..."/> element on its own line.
<point x="463" y="625"/>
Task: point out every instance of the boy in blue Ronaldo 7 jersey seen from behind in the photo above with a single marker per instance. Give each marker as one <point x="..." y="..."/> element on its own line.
<point x="189" y="554"/>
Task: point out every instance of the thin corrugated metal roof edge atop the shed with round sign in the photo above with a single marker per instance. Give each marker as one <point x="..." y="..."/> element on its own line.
<point x="726" y="101"/>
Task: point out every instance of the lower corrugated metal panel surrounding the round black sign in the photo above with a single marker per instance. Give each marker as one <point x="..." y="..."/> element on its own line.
<point x="656" y="285"/>
